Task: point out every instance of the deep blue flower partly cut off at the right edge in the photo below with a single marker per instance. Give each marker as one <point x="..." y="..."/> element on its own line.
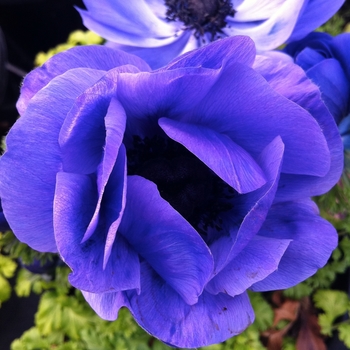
<point x="326" y="61"/>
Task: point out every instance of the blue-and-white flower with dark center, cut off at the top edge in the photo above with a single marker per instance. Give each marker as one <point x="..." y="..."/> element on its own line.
<point x="160" y="30"/>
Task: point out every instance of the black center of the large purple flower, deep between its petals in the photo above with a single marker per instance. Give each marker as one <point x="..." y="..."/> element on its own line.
<point x="190" y="187"/>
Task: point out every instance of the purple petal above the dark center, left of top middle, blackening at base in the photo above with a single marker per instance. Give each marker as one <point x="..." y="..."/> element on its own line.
<point x="168" y="90"/>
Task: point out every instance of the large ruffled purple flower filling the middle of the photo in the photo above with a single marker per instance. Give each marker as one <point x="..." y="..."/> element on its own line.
<point x="172" y="192"/>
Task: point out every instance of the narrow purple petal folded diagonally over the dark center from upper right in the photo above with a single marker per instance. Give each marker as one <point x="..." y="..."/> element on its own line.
<point x="227" y="159"/>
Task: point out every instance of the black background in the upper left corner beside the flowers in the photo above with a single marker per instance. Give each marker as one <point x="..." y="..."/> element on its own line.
<point x="29" y="26"/>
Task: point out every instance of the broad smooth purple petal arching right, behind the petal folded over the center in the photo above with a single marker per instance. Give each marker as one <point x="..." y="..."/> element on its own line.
<point x="243" y="106"/>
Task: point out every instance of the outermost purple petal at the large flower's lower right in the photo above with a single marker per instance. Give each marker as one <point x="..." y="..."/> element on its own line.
<point x="313" y="240"/>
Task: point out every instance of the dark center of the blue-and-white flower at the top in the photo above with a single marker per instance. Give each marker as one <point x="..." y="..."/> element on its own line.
<point x="204" y="16"/>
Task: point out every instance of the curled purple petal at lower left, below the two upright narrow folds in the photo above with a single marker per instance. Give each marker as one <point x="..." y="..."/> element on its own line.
<point x="75" y="201"/>
